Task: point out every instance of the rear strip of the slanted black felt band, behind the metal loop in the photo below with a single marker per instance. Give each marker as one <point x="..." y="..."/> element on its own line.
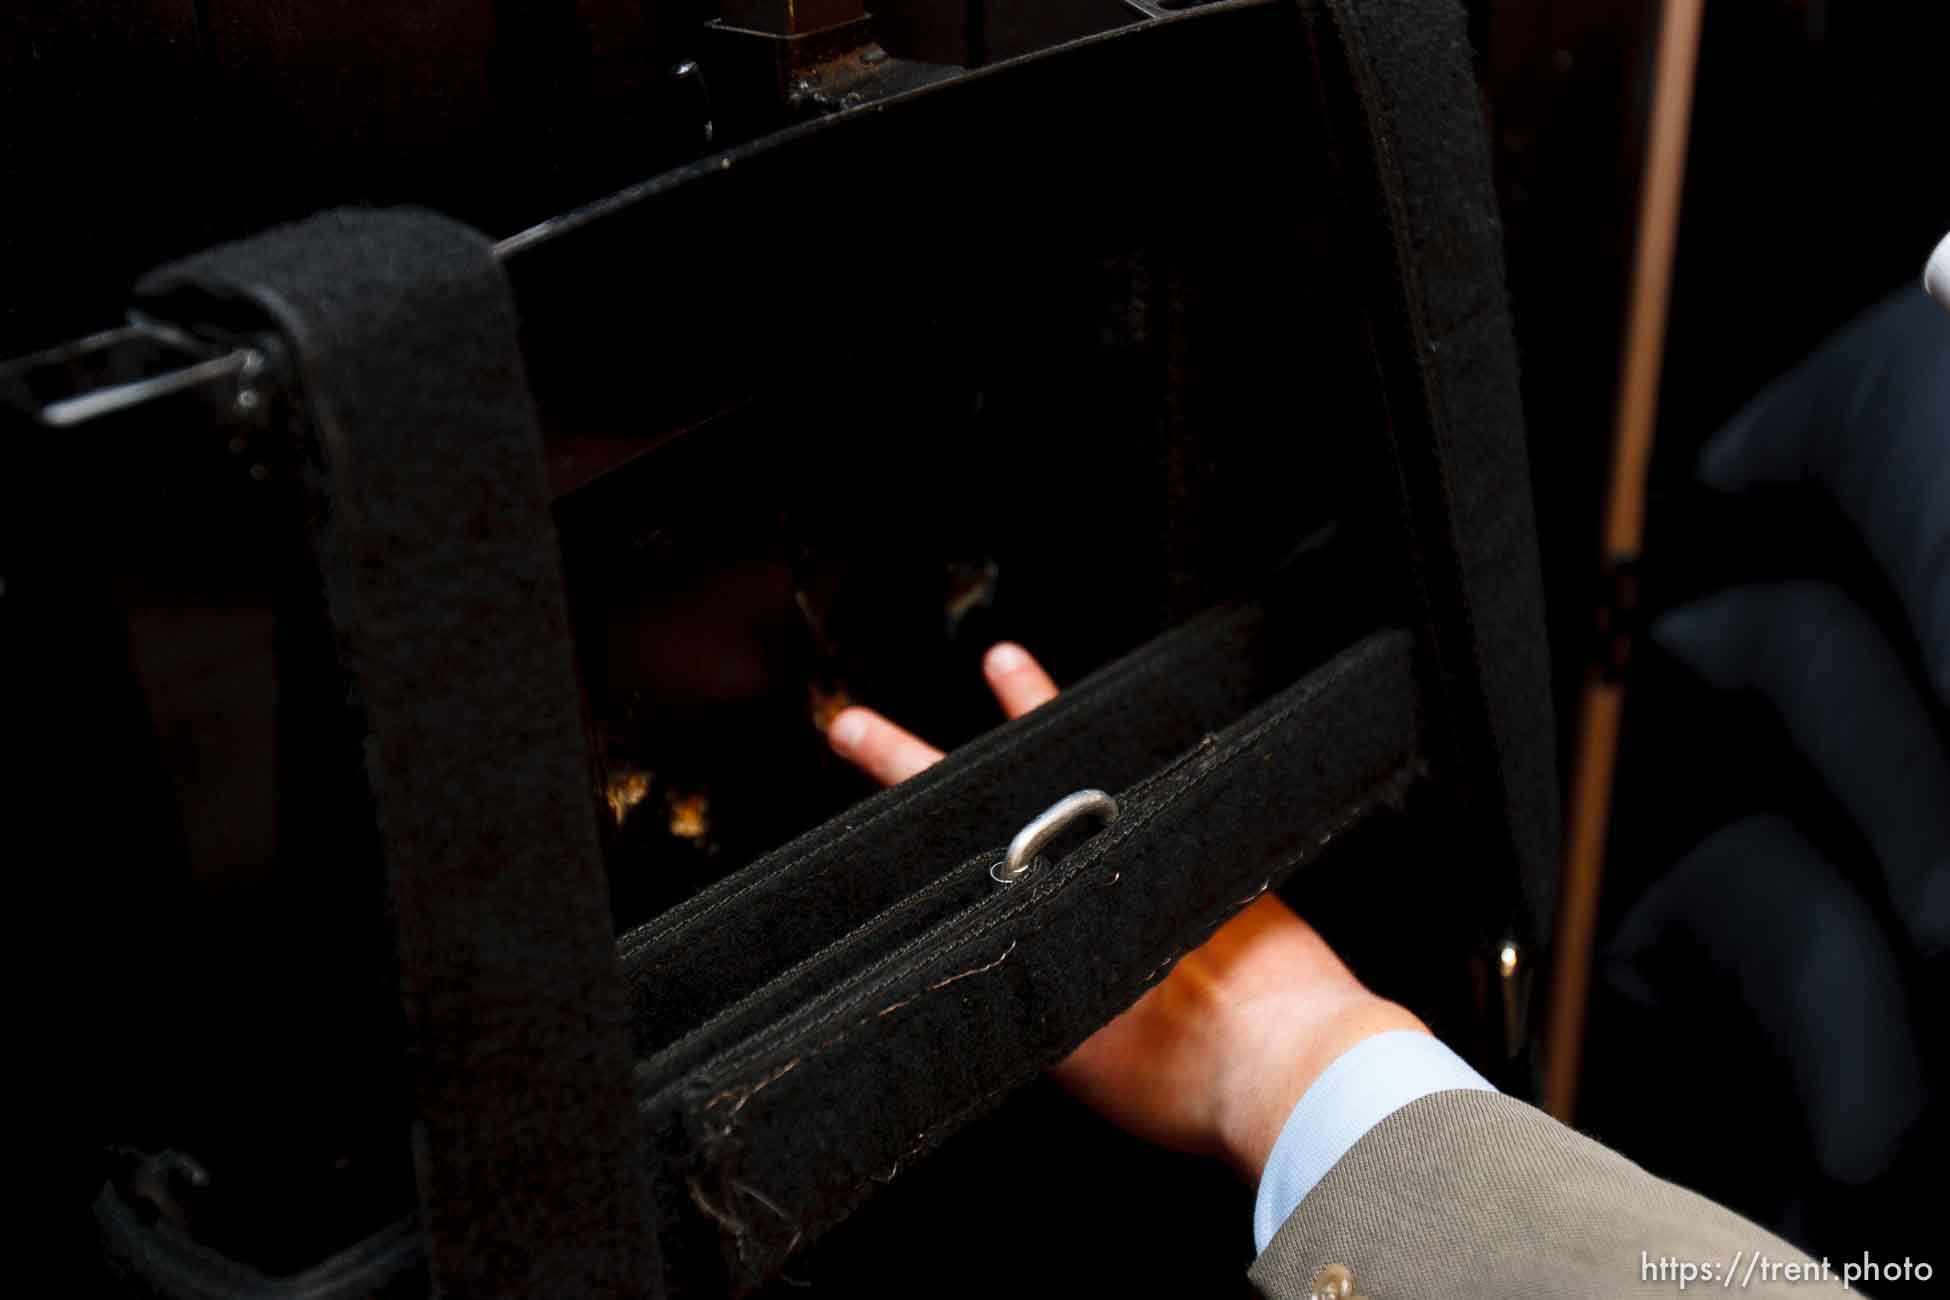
<point x="1112" y="732"/>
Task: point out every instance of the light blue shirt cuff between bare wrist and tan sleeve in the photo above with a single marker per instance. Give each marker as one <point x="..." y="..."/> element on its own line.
<point x="1366" y="1085"/>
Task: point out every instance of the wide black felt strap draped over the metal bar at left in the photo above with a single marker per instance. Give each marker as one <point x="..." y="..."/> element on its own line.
<point x="444" y="580"/>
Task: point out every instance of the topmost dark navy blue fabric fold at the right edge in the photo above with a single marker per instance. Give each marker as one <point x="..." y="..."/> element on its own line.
<point x="1867" y="422"/>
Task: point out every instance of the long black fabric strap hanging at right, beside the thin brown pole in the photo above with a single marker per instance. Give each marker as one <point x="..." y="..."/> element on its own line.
<point x="1399" y="91"/>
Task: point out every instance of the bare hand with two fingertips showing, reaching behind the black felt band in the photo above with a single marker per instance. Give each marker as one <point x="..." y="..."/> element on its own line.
<point x="1214" y="1057"/>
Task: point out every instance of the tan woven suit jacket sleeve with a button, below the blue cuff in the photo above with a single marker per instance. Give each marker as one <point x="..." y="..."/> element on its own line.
<point x="1471" y="1194"/>
